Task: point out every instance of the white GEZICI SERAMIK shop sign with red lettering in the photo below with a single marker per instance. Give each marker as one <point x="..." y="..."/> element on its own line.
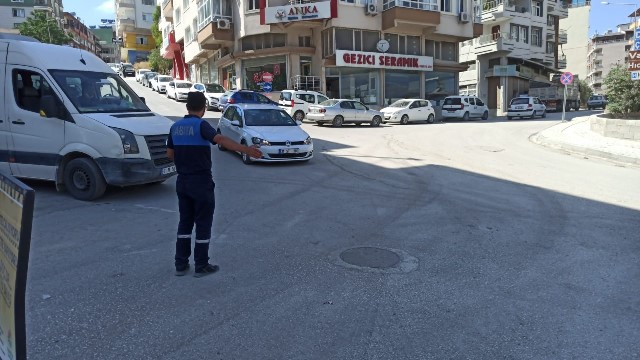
<point x="383" y="61"/>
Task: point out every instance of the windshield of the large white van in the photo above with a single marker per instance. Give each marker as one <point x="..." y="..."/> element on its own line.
<point x="95" y="92"/>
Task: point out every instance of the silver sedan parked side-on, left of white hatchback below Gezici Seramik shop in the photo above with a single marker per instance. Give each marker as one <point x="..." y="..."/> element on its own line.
<point x="343" y="111"/>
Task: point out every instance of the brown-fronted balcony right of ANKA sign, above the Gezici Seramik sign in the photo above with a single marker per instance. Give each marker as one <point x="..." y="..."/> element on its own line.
<point x="410" y="15"/>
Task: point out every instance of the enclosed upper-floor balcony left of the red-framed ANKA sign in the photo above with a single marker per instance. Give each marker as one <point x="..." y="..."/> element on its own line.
<point x="215" y="27"/>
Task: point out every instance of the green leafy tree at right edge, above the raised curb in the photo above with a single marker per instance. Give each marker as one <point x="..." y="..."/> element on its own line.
<point x="623" y="94"/>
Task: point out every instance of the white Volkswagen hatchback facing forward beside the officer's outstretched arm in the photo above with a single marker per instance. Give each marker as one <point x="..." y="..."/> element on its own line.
<point x="279" y="137"/>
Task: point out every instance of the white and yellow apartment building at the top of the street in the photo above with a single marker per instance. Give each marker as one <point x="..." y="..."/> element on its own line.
<point x="134" y="19"/>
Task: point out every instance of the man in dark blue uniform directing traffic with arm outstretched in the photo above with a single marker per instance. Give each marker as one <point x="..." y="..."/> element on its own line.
<point x="188" y="146"/>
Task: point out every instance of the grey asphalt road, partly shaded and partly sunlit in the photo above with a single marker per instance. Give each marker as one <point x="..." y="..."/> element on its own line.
<point x="498" y="249"/>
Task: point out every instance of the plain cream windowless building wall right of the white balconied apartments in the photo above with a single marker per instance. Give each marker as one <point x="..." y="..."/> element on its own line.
<point x="577" y="47"/>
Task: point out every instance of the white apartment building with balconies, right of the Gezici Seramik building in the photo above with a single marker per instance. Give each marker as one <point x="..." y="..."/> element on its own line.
<point x="519" y="49"/>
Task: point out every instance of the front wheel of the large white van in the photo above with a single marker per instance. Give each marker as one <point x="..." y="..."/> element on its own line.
<point x="83" y="179"/>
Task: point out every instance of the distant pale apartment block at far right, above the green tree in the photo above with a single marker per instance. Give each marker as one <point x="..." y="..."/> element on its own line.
<point x="605" y="52"/>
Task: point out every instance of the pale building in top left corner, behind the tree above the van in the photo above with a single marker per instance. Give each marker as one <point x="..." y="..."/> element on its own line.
<point x="14" y="12"/>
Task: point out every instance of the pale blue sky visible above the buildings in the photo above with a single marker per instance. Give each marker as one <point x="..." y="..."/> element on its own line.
<point x="603" y="17"/>
